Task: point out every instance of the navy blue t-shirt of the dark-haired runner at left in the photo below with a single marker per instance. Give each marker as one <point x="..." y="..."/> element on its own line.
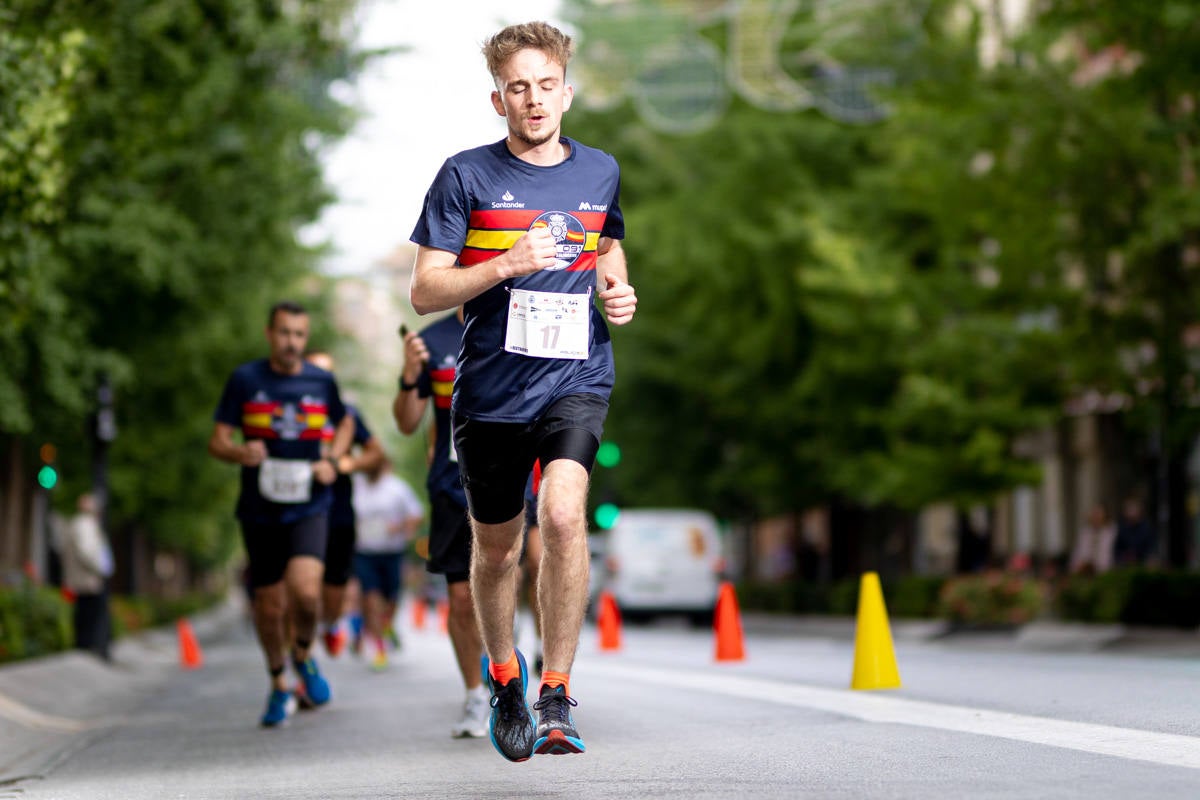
<point x="289" y="413"/>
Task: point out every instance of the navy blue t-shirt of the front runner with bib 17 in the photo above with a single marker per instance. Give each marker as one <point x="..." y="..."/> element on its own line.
<point x="482" y="202"/>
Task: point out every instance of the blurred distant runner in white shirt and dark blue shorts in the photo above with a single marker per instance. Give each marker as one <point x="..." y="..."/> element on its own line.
<point x="387" y="514"/>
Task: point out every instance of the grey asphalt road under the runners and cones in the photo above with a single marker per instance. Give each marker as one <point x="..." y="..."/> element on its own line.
<point x="986" y="717"/>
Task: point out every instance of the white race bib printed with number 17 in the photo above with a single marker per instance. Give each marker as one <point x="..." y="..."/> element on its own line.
<point x="549" y="324"/>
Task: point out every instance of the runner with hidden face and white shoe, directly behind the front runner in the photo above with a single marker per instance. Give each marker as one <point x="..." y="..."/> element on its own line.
<point x="430" y="360"/>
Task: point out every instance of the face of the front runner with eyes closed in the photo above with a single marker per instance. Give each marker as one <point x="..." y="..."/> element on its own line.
<point x="532" y="94"/>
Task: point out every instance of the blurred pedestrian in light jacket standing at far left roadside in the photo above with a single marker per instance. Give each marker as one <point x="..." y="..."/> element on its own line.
<point x="87" y="568"/>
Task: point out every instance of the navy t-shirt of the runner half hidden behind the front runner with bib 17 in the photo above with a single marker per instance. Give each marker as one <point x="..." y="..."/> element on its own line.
<point x="443" y="340"/>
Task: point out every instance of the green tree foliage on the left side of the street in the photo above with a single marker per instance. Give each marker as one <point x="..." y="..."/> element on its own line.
<point x="185" y="166"/>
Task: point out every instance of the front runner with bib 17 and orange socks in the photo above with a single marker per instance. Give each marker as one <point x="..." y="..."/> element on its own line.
<point x="524" y="232"/>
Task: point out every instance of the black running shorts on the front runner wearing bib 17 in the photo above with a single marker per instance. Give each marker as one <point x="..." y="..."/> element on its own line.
<point x="496" y="458"/>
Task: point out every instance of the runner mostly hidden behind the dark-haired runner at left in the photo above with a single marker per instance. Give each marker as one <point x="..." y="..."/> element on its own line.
<point x="343" y="536"/>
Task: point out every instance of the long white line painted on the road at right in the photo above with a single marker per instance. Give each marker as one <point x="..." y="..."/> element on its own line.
<point x="1168" y="749"/>
